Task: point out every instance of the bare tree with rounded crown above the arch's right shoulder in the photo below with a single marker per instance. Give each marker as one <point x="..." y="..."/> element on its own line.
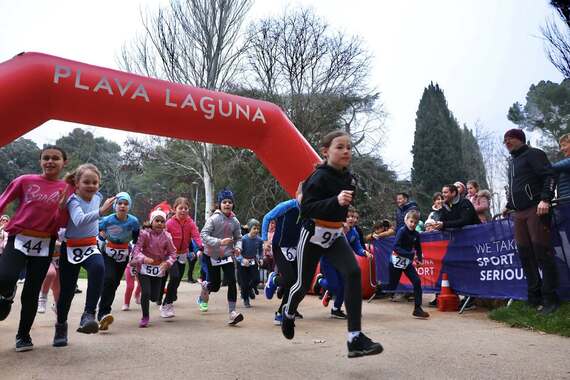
<point x="319" y="77"/>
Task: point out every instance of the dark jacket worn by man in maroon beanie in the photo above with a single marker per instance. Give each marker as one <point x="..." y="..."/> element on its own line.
<point x="531" y="178"/>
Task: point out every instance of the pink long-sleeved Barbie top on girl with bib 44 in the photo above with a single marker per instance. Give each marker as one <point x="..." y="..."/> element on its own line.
<point x="38" y="209"/>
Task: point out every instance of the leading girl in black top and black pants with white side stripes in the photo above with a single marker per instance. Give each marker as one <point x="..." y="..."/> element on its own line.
<point x="327" y="193"/>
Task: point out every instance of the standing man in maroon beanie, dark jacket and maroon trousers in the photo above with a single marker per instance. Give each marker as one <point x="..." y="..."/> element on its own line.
<point x="530" y="190"/>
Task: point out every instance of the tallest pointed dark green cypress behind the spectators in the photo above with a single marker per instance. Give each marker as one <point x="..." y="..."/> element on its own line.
<point x="437" y="149"/>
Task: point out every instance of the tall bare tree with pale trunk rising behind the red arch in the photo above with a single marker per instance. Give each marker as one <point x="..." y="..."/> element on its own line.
<point x="195" y="42"/>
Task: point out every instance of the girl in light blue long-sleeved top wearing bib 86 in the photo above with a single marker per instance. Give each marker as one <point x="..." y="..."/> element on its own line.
<point x="80" y="250"/>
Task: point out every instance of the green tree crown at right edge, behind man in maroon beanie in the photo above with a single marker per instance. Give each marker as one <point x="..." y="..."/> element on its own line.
<point x="547" y="110"/>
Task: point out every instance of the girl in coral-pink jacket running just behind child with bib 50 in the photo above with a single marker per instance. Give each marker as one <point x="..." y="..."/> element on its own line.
<point x="183" y="231"/>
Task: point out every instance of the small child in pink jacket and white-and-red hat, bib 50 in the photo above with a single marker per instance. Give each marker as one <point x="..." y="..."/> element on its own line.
<point x="153" y="255"/>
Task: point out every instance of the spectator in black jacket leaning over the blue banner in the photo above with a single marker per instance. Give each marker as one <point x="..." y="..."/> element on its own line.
<point x="456" y="212"/>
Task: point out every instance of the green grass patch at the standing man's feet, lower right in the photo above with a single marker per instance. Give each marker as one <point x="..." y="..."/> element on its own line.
<point x="520" y="315"/>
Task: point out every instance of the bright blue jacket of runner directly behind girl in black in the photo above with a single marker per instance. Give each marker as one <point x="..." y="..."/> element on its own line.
<point x="287" y="224"/>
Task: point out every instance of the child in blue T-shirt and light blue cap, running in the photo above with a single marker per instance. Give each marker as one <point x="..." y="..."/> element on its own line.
<point x="119" y="228"/>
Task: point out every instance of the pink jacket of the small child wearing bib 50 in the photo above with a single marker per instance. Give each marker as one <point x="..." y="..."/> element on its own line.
<point x="157" y="246"/>
